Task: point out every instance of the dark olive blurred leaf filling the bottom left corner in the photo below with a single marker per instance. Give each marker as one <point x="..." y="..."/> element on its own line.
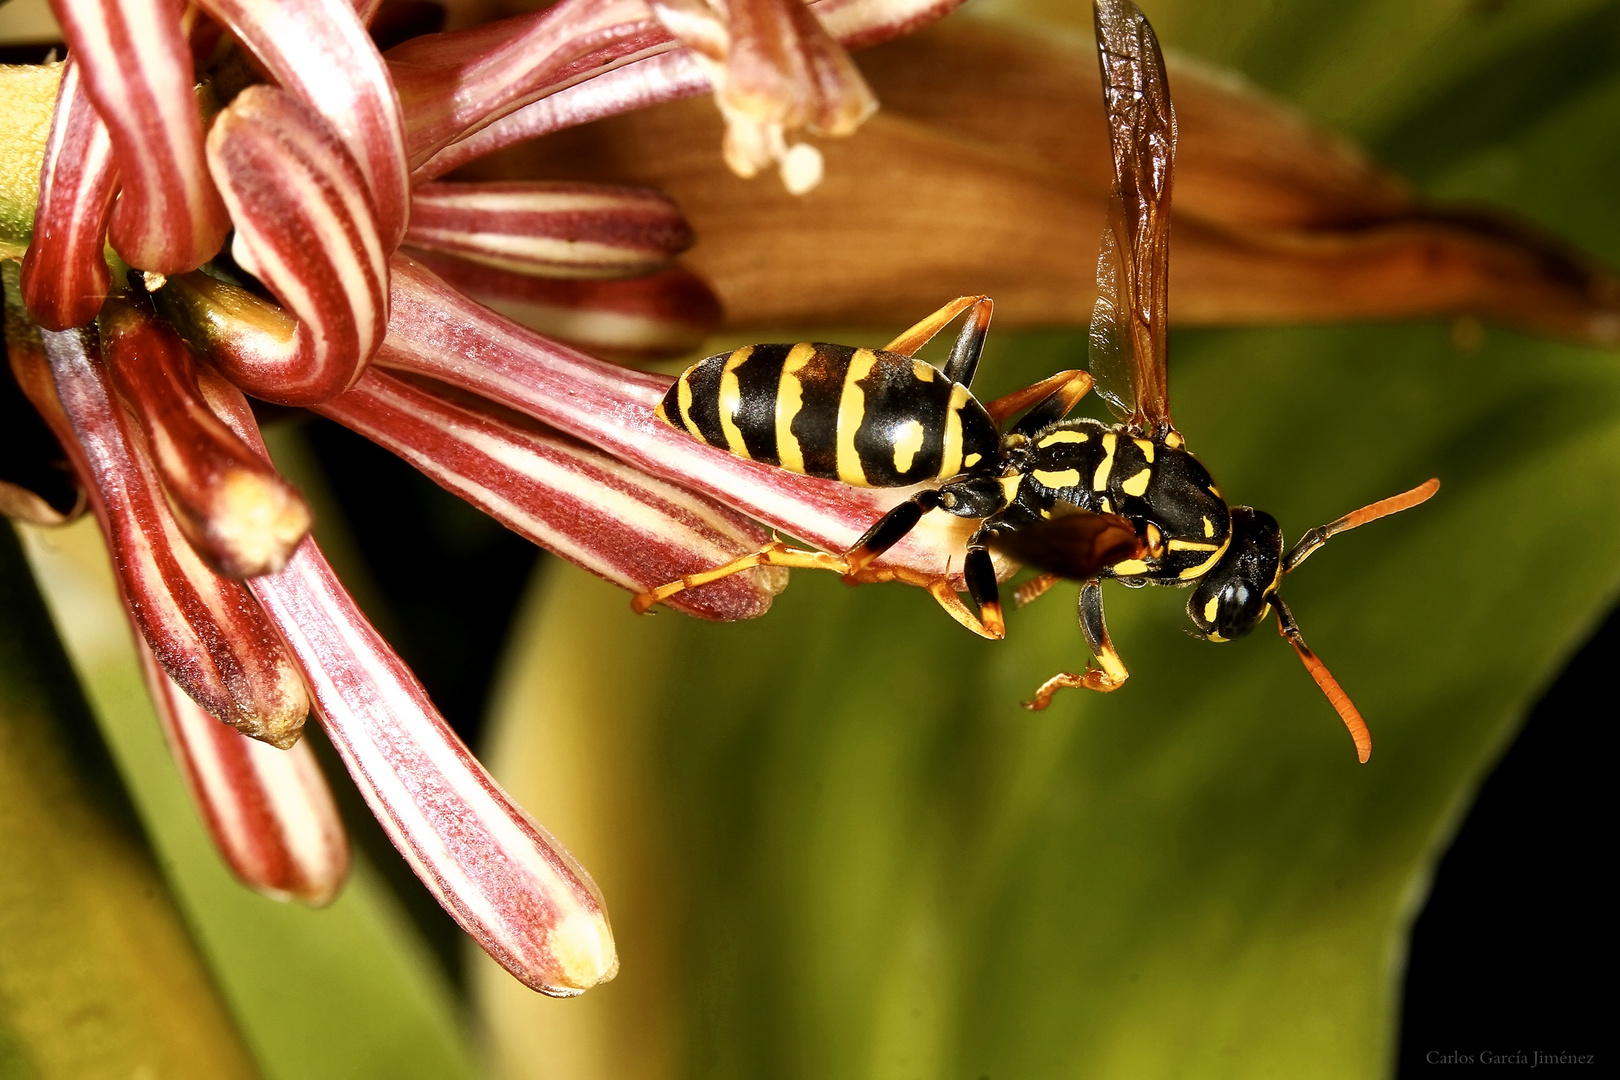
<point x="98" y="977"/>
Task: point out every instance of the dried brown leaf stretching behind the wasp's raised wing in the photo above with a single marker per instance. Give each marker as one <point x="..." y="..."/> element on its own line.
<point x="987" y="172"/>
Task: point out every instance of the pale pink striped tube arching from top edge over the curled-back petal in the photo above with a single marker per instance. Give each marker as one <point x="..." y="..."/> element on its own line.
<point x="320" y="51"/>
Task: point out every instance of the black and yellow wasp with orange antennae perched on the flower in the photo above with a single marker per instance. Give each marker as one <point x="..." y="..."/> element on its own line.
<point x="1075" y="500"/>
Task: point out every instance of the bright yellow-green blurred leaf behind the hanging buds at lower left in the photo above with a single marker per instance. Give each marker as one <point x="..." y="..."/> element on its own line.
<point x="346" y="992"/>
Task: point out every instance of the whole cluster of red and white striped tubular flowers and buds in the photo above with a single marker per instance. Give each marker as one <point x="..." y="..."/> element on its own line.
<point x="284" y="129"/>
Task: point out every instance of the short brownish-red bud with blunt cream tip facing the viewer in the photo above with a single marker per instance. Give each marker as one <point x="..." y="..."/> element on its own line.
<point x="241" y="516"/>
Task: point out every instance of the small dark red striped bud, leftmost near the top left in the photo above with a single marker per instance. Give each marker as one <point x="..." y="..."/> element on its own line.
<point x="66" y="270"/>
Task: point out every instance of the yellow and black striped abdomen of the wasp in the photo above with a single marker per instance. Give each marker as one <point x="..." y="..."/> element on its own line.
<point x="858" y="415"/>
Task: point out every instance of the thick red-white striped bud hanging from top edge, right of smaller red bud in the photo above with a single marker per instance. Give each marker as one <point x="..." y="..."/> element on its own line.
<point x="137" y="69"/>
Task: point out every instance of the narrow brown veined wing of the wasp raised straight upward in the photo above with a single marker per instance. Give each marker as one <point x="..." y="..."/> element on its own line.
<point x="1143" y="138"/>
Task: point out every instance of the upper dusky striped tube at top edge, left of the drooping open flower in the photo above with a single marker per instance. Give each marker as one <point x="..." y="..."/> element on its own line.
<point x="453" y="85"/>
